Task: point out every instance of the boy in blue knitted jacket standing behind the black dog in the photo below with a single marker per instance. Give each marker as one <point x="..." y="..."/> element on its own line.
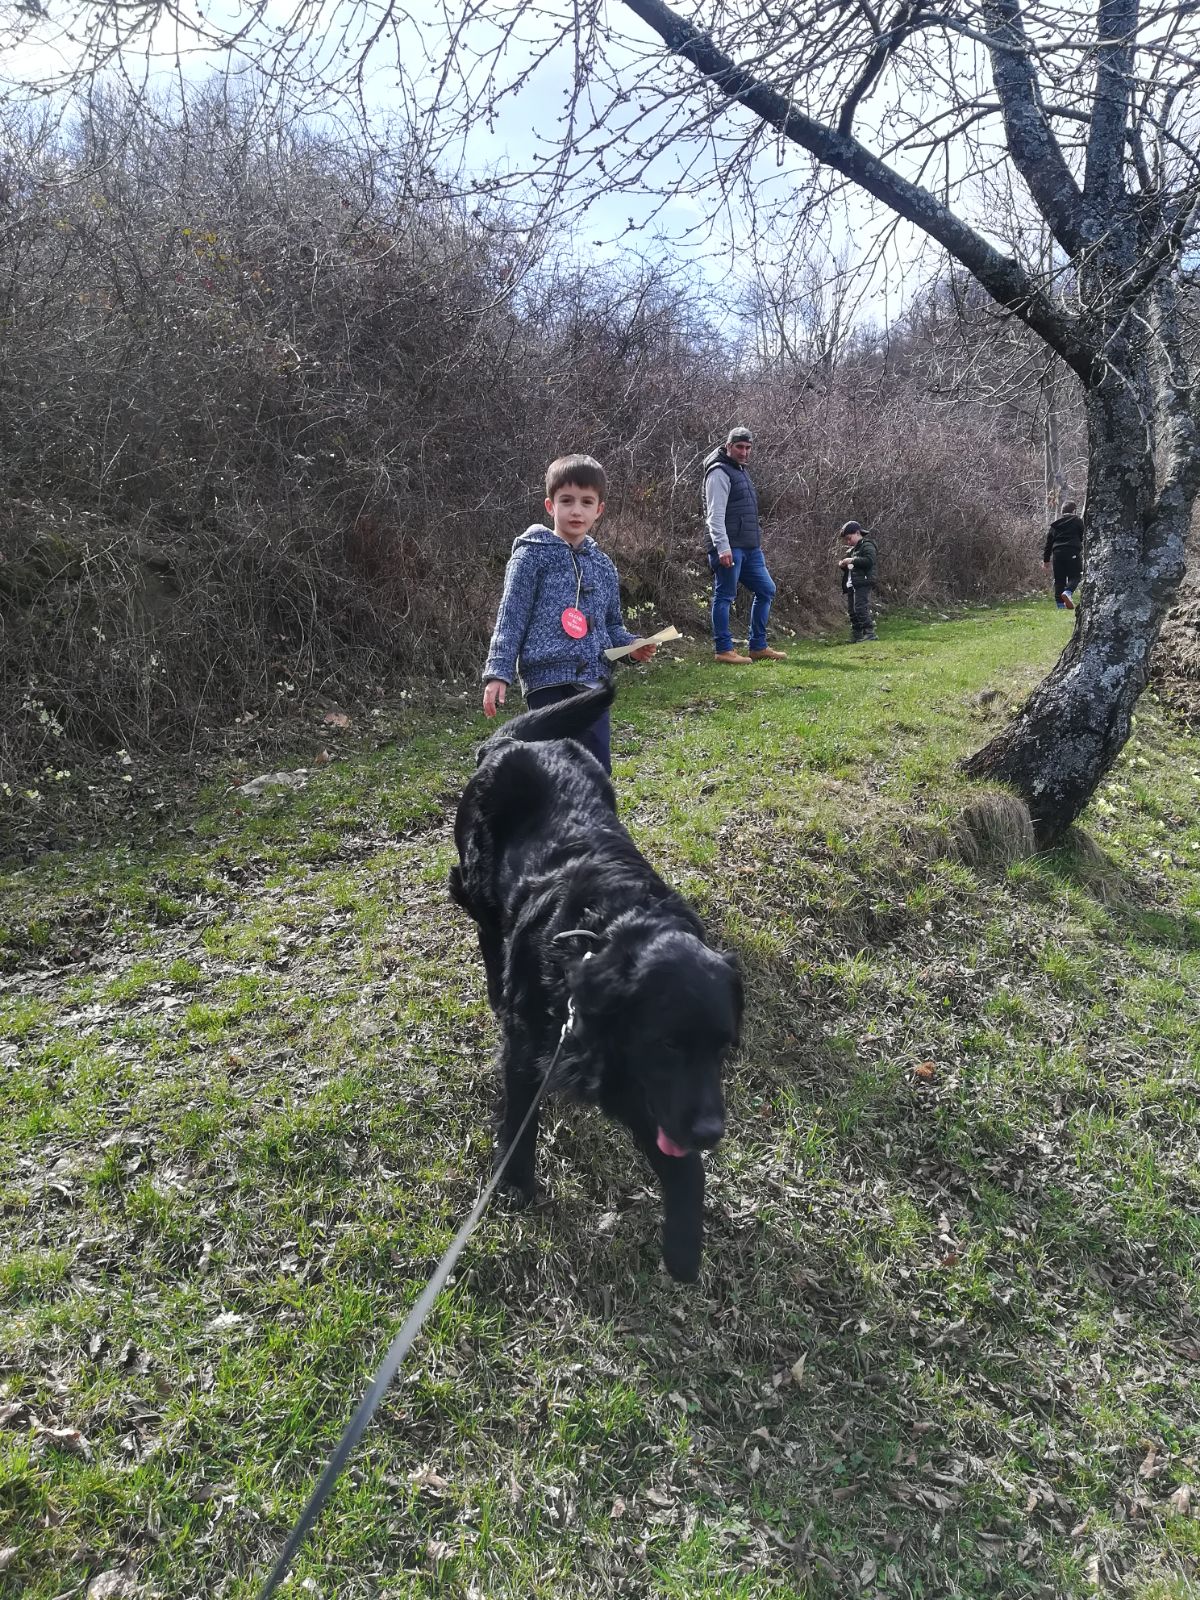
<point x="561" y="607"/>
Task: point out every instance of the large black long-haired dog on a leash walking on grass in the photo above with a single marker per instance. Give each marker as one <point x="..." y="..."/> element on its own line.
<point x="572" y="918"/>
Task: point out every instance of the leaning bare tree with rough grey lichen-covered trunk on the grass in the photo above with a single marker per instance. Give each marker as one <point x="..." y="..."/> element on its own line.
<point x="1122" y="231"/>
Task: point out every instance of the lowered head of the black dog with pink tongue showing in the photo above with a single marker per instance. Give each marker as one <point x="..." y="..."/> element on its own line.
<point x="663" y="1014"/>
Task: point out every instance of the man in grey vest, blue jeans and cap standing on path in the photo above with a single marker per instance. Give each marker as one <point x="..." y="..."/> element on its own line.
<point x="735" y="550"/>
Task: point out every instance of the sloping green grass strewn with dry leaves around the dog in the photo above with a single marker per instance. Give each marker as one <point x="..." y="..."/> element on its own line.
<point x="948" y="1334"/>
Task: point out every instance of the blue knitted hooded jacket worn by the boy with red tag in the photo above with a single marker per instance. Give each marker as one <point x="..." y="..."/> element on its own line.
<point x="540" y="585"/>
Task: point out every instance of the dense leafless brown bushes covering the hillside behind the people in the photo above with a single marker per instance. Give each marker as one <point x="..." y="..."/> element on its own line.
<point x="273" y="412"/>
